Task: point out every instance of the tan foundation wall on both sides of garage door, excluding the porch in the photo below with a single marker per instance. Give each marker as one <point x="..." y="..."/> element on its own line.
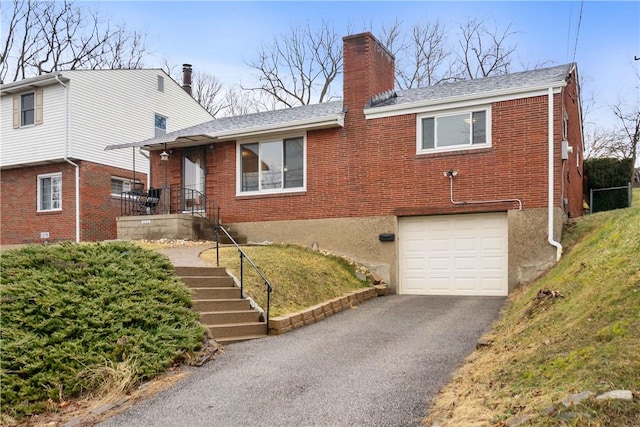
<point x="530" y="254"/>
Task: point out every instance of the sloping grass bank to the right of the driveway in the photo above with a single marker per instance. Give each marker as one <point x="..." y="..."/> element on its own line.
<point x="585" y="336"/>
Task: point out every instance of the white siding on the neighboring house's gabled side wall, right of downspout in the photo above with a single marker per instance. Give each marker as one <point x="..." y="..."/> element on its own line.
<point x="118" y="106"/>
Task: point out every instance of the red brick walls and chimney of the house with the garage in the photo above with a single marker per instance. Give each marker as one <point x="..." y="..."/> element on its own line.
<point x="370" y="167"/>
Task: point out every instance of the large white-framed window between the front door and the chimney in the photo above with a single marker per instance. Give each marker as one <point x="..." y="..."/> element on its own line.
<point x="272" y="166"/>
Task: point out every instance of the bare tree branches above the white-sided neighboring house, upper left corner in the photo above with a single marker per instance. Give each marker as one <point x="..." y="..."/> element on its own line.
<point x="44" y="36"/>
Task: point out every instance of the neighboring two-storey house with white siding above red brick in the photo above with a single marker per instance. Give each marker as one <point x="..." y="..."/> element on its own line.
<point x="57" y="181"/>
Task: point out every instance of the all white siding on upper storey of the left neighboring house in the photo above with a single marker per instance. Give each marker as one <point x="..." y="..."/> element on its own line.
<point x="106" y="107"/>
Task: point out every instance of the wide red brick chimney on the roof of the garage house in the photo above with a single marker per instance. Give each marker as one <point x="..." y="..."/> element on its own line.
<point x="369" y="70"/>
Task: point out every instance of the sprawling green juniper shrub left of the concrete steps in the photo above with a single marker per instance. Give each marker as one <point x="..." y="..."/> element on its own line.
<point x="71" y="309"/>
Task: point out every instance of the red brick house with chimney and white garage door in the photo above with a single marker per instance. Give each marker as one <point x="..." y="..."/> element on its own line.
<point x="460" y="188"/>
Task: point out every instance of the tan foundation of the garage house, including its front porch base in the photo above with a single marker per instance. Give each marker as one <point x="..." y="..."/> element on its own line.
<point x="359" y="239"/>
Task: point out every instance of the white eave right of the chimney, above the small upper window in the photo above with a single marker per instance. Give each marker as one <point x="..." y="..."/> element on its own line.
<point x="483" y="97"/>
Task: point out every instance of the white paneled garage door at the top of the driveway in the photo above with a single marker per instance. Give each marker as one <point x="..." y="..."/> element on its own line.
<point x="454" y="254"/>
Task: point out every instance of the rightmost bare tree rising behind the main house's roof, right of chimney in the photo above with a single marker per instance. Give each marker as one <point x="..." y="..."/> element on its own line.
<point x="484" y="52"/>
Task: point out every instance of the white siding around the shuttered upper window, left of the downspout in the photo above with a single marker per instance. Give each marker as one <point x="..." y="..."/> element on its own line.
<point x="34" y="143"/>
